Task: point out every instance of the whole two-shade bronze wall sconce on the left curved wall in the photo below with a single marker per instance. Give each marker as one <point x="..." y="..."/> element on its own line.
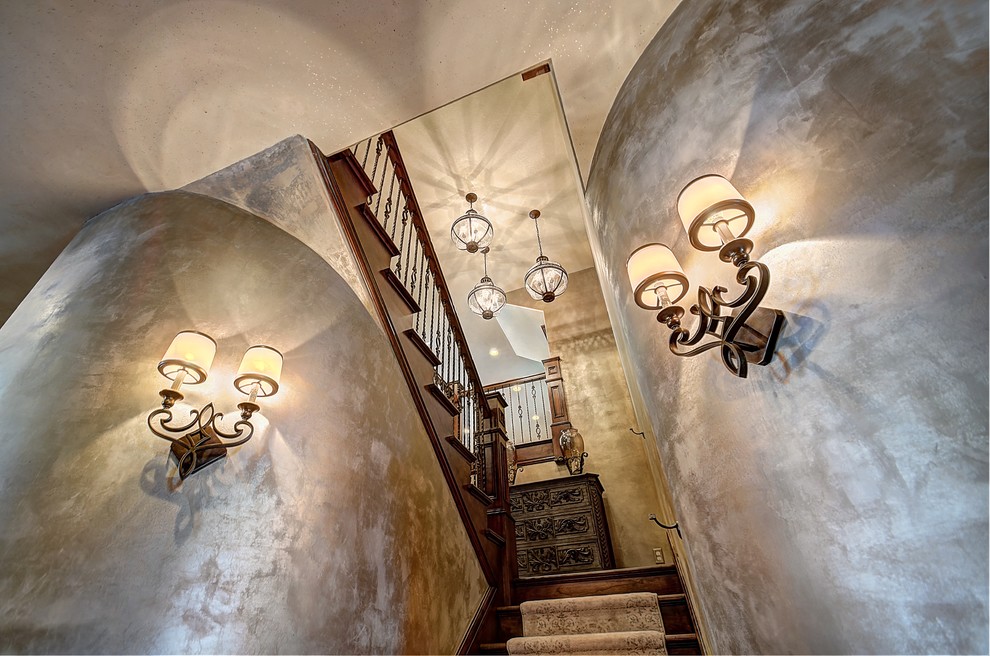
<point x="187" y="361"/>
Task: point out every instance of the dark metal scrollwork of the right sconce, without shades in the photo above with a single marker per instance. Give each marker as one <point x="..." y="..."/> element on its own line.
<point x="738" y="339"/>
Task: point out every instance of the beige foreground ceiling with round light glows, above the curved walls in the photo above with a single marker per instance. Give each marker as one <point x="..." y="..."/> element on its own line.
<point x="106" y="100"/>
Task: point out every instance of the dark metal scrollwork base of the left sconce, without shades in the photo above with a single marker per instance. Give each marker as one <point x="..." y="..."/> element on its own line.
<point x="199" y="443"/>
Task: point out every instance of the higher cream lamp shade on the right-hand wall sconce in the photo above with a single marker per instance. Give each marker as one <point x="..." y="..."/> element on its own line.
<point x="705" y="202"/>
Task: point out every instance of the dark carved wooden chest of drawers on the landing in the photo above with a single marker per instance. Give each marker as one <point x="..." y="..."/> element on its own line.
<point x="561" y="526"/>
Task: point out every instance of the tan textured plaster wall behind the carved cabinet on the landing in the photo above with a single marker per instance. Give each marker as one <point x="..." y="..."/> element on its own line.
<point x="598" y="403"/>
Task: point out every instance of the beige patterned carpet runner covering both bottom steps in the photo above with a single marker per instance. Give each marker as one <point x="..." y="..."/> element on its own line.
<point x="606" y="624"/>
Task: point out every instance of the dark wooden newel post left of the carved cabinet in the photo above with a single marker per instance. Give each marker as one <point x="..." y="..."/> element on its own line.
<point x="500" y="512"/>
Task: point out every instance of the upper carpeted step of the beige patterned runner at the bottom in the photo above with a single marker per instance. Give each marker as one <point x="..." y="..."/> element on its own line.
<point x="594" y="614"/>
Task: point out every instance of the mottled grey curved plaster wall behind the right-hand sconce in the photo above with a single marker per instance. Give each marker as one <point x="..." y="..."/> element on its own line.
<point x="835" y="501"/>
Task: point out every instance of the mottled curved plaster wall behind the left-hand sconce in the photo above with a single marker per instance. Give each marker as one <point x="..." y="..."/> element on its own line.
<point x="331" y="531"/>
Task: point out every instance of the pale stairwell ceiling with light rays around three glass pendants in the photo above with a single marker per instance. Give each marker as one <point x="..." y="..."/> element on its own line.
<point x="509" y="144"/>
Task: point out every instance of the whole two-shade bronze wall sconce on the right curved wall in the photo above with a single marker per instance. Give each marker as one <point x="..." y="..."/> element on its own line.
<point x="716" y="218"/>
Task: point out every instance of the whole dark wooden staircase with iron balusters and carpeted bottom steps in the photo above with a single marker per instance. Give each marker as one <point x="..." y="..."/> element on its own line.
<point x="381" y="219"/>
